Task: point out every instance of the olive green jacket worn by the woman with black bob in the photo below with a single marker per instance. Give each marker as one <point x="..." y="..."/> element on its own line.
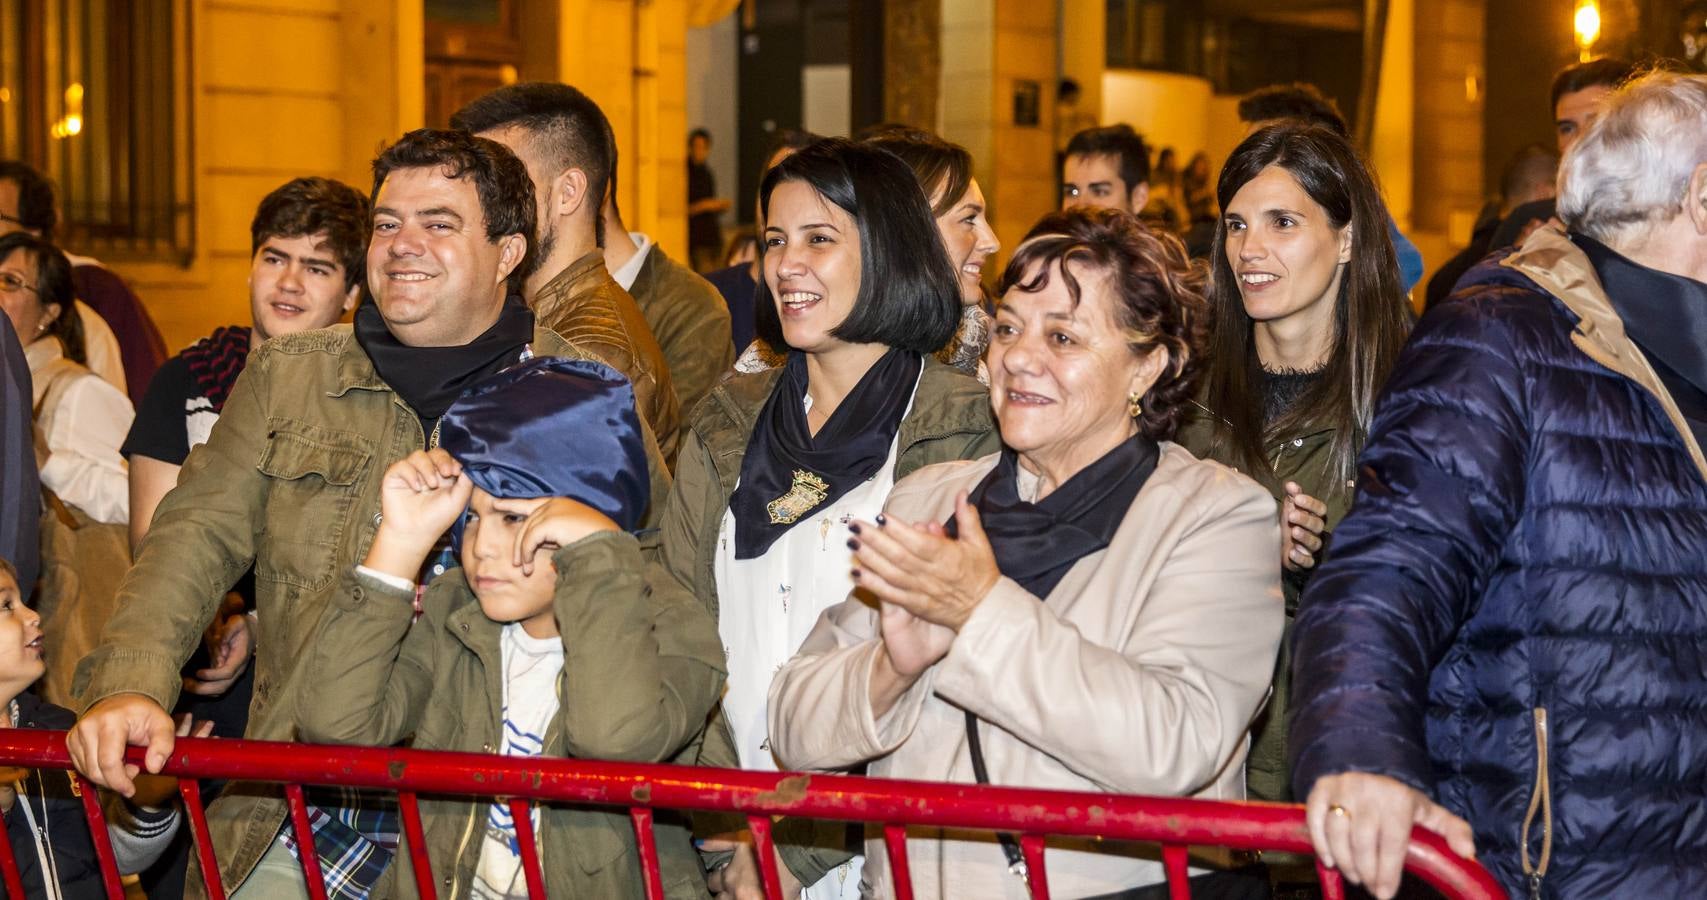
<point x="950" y="421"/>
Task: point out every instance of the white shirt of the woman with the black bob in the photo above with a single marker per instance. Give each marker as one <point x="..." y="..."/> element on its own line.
<point x="767" y="607"/>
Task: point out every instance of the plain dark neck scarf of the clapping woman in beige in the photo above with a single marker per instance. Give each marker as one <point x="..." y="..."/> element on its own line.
<point x="1037" y="544"/>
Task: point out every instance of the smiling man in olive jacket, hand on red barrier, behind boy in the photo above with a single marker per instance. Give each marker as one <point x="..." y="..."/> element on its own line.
<point x="289" y="479"/>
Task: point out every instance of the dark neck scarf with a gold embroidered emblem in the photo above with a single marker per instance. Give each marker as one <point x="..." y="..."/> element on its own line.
<point x="789" y="472"/>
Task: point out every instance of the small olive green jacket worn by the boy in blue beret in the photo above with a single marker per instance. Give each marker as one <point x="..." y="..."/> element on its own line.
<point x="641" y="674"/>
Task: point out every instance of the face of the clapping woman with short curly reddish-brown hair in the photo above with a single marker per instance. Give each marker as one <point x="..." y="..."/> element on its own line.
<point x="1061" y="373"/>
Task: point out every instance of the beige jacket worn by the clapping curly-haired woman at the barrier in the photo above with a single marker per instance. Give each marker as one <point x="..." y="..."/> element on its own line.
<point x="1139" y="674"/>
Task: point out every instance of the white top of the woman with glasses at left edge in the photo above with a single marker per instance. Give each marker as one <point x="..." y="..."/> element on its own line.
<point x="84" y="433"/>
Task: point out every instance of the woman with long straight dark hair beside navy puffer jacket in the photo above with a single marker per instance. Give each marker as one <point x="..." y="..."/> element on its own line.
<point x="1310" y="310"/>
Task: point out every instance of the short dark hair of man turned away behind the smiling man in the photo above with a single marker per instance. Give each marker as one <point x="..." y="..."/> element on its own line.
<point x="562" y="122"/>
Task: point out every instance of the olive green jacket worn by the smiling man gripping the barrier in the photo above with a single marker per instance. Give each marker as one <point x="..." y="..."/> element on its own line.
<point x="289" y="484"/>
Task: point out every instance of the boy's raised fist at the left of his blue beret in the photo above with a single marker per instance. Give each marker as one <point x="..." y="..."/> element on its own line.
<point x="421" y="498"/>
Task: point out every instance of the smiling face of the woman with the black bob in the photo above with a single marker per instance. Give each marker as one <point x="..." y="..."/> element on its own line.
<point x="812" y="266"/>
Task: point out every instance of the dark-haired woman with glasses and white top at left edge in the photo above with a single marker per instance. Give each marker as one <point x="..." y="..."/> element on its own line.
<point x="81" y="421"/>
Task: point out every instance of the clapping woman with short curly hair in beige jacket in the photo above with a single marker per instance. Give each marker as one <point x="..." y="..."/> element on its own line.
<point x="1107" y="617"/>
